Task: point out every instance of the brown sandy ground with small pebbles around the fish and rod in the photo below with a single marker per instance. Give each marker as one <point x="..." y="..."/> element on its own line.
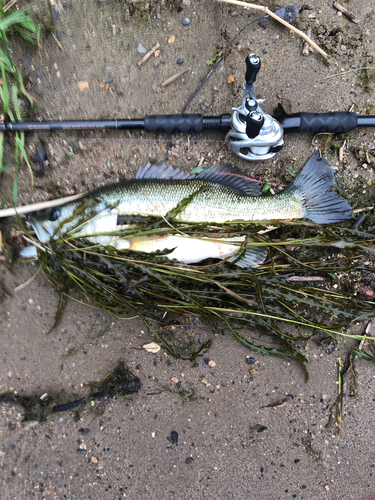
<point x="128" y="450"/>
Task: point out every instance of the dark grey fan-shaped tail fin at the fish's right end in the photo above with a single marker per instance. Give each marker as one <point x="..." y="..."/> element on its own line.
<point x="313" y="184"/>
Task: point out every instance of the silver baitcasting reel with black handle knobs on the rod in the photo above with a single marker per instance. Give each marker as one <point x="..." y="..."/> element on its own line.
<point x="254" y="135"/>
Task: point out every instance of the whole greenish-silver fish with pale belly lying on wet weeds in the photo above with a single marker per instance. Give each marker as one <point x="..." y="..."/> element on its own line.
<point x="219" y="194"/>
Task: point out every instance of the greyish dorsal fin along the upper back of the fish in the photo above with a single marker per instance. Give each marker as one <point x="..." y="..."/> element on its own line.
<point x="225" y="175"/>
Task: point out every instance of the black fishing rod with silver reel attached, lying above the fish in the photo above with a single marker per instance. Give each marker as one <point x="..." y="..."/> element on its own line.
<point x="250" y="133"/>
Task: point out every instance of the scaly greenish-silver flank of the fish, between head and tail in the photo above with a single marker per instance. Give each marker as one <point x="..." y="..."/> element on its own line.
<point x="211" y="203"/>
